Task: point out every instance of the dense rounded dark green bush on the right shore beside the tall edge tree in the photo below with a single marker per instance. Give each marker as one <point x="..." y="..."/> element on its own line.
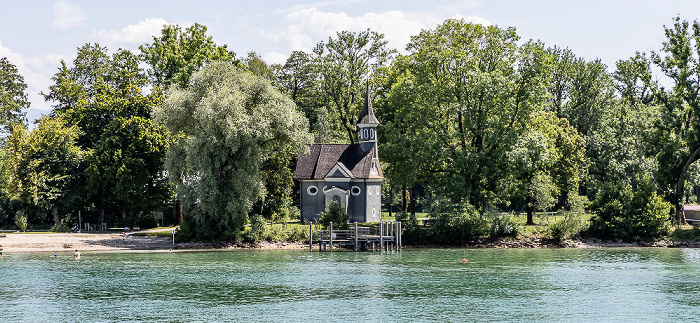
<point x="638" y="214"/>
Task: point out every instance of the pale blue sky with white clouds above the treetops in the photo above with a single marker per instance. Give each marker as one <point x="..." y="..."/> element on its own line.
<point x="36" y="35"/>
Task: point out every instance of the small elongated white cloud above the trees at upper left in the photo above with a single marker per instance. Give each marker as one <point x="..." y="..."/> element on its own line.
<point x="131" y="36"/>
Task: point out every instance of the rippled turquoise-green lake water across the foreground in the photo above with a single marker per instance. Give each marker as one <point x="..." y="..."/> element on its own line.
<point x="584" y="285"/>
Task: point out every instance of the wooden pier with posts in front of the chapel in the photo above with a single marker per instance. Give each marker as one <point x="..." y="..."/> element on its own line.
<point x="386" y="237"/>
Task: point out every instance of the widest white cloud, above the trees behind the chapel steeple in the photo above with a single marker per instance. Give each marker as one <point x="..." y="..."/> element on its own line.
<point x="306" y="27"/>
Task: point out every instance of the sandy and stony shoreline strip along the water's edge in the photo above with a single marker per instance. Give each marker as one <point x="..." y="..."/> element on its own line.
<point x="69" y="242"/>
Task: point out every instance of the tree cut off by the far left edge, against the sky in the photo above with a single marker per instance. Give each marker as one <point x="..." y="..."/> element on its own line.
<point x="13" y="96"/>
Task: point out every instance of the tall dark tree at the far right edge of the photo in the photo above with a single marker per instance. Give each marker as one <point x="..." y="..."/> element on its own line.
<point x="678" y="132"/>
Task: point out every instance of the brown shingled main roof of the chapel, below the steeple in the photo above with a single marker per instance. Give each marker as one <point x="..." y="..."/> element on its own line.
<point x="322" y="157"/>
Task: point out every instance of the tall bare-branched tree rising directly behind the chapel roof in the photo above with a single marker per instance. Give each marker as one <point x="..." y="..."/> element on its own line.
<point x="345" y="65"/>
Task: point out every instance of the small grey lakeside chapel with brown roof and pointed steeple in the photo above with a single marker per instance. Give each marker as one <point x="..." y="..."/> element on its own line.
<point x="349" y="174"/>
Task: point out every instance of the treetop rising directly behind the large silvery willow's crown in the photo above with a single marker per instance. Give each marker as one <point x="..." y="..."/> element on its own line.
<point x="176" y="54"/>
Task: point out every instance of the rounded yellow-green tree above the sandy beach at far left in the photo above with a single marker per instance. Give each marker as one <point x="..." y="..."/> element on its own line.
<point x="44" y="166"/>
